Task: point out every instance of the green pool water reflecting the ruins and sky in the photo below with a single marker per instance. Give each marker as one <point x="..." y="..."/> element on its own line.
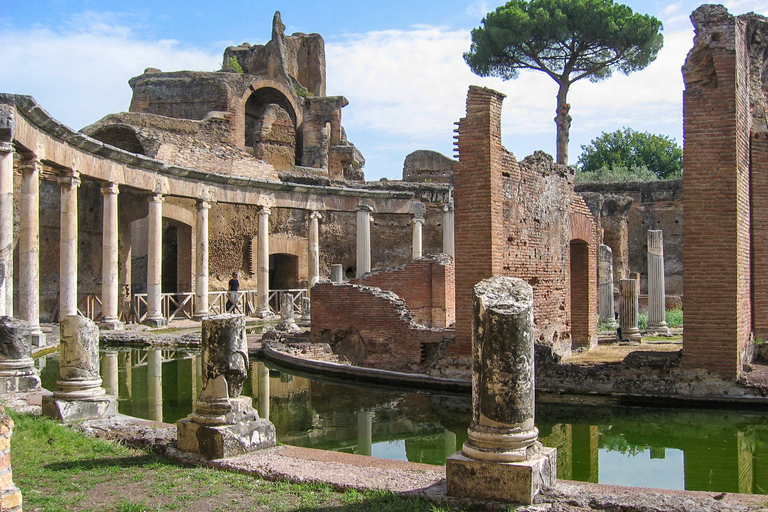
<point x="703" y="450"/>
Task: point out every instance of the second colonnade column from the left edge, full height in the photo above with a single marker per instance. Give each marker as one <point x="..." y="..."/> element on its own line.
<point x="29" y="250"/>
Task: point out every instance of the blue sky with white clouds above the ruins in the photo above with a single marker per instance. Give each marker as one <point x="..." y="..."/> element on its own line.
<point x="398" y="63"/>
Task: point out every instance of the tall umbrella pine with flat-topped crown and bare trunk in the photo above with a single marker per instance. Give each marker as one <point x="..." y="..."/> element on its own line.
<point x="566" y="39"/>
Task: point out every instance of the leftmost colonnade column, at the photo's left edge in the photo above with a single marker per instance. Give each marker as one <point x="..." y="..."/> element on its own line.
<point x="6" y="229"/>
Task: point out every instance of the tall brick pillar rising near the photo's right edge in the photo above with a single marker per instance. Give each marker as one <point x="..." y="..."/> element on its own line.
<point x="717" y="248"/>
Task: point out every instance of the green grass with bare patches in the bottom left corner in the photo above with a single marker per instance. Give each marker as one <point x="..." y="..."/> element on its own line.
<point x="57" y="469"/>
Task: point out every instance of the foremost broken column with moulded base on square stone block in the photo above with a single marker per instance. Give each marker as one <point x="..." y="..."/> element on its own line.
<point x="503" y="459"/>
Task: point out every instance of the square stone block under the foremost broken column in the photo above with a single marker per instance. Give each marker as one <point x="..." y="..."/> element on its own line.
<point x="516" y="482"/>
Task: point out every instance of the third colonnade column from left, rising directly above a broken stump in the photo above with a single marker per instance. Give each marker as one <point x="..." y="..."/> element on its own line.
<point x="68" y="244"/>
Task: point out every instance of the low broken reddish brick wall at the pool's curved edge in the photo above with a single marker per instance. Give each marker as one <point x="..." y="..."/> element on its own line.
<point x="373" y="328"/>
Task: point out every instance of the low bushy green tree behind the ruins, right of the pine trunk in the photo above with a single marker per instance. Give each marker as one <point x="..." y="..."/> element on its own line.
<point x="627" y="148"/>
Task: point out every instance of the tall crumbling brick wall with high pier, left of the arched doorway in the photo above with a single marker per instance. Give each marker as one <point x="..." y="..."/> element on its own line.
<point x="514" y="218"/>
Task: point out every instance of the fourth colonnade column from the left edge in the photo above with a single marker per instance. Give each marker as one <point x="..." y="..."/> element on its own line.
<point x="110" y="290"/>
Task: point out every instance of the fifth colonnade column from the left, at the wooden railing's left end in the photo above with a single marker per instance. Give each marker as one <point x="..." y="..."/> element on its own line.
<point x="155" y="262"/>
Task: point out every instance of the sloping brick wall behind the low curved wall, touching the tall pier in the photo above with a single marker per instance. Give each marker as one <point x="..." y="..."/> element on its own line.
<point x="425" y="284"/>
